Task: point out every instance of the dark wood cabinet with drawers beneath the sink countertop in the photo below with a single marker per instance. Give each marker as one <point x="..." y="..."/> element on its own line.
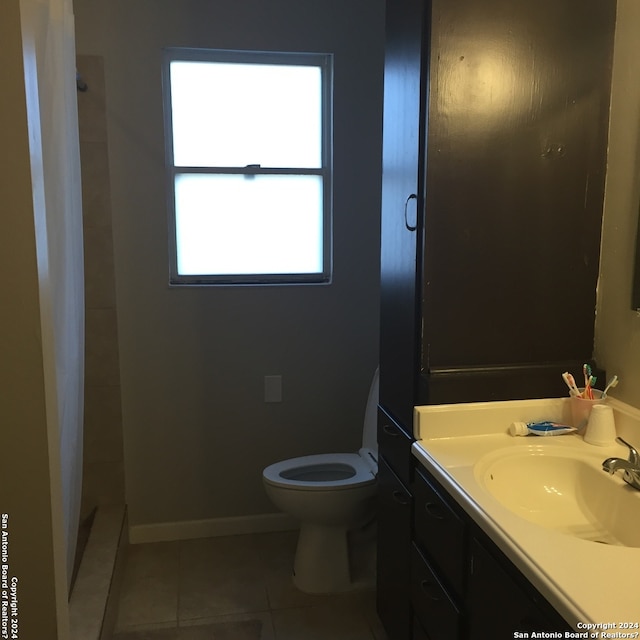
<point x="463" y="587"/>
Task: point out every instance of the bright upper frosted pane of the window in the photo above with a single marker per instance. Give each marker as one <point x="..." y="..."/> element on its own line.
<point x="232" y="115"/>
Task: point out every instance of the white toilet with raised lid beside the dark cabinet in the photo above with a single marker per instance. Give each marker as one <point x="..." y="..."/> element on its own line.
<point x="330" y="494"/>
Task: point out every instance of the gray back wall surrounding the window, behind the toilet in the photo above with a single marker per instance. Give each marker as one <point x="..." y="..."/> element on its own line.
<point x="196" y="430"/>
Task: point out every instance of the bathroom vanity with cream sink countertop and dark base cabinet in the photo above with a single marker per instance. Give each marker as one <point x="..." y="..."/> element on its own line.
<point x="520" y="534"/>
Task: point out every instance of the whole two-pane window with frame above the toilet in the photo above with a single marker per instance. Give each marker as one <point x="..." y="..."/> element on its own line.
<point x="248" y="145"/>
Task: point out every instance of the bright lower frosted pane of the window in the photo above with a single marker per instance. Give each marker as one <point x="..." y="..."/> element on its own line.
<point x="232" y="224"/>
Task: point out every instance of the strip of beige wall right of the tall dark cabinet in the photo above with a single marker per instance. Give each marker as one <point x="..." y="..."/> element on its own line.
<point x="617" y="326"/>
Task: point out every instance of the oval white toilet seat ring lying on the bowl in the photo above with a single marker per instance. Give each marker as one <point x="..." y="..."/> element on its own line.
<point x="334" y="471"/>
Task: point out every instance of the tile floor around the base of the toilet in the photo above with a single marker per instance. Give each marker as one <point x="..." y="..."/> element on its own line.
<point x="233" y="588"/>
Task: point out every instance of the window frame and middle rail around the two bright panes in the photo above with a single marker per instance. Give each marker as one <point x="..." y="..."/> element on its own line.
<point x="322" y="60"/>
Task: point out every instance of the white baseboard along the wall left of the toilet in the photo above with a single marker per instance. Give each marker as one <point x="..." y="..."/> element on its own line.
<point x="185" y="530"/>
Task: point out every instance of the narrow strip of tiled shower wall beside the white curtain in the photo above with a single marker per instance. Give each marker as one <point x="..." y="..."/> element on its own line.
<point x="103" y="478"/>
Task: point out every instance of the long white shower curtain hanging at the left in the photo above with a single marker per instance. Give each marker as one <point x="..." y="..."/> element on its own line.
<point x="62" y="286"/>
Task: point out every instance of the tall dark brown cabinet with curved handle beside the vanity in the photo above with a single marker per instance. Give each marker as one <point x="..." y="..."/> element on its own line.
<point x="494" y="159"/>
